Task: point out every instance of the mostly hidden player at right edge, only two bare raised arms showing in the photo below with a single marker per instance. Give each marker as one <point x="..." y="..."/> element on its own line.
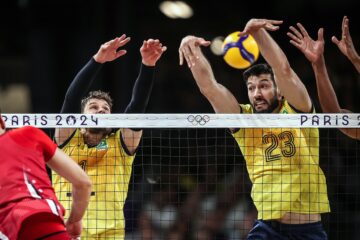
<point x="314" y="52"/>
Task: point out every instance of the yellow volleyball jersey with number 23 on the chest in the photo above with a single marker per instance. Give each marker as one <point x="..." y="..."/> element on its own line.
<point x="283" y="165"/>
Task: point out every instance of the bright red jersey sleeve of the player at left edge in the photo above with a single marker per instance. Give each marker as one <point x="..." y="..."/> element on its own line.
<point x="32" y="137"/>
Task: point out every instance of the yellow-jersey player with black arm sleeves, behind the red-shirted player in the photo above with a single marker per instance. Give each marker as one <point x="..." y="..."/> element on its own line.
<point x="105" y="154"/>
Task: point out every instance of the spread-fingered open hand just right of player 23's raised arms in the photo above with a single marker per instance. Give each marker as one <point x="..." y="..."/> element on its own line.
<point x="312" y="49"/>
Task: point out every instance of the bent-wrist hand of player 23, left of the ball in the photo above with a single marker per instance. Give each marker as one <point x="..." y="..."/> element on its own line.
<point x="189" y="49"/>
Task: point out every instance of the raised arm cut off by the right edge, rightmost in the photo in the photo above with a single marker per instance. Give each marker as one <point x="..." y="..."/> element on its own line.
<point x="346" y="44"/>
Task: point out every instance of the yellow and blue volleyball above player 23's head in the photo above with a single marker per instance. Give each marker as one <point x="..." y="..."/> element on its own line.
<point x="240" y="52"/>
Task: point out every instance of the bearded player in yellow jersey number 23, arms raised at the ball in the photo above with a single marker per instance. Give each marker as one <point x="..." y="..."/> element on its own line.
<point x="289" y="188"/>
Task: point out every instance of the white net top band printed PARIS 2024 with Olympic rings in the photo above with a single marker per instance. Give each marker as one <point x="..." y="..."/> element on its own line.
<point x="193" y="120"/>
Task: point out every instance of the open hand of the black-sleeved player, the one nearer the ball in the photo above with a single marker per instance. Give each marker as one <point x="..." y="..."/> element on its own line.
<point x="151" y="51"/>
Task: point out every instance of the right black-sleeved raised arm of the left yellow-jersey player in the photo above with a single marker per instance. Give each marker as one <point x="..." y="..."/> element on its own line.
<point x="151" y="51"/>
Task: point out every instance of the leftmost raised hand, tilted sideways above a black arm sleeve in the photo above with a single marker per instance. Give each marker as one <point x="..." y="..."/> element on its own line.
<point x="109" y="51"/>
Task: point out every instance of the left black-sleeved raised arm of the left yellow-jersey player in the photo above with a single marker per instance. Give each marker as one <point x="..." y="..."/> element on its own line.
<point x="83" y="80"/>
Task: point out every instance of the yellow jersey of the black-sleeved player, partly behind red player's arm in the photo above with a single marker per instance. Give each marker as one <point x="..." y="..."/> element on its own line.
<point x="109" y="168"/>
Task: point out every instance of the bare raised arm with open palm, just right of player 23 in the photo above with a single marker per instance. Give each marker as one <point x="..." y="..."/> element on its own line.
<point x="314" y="52"/>
